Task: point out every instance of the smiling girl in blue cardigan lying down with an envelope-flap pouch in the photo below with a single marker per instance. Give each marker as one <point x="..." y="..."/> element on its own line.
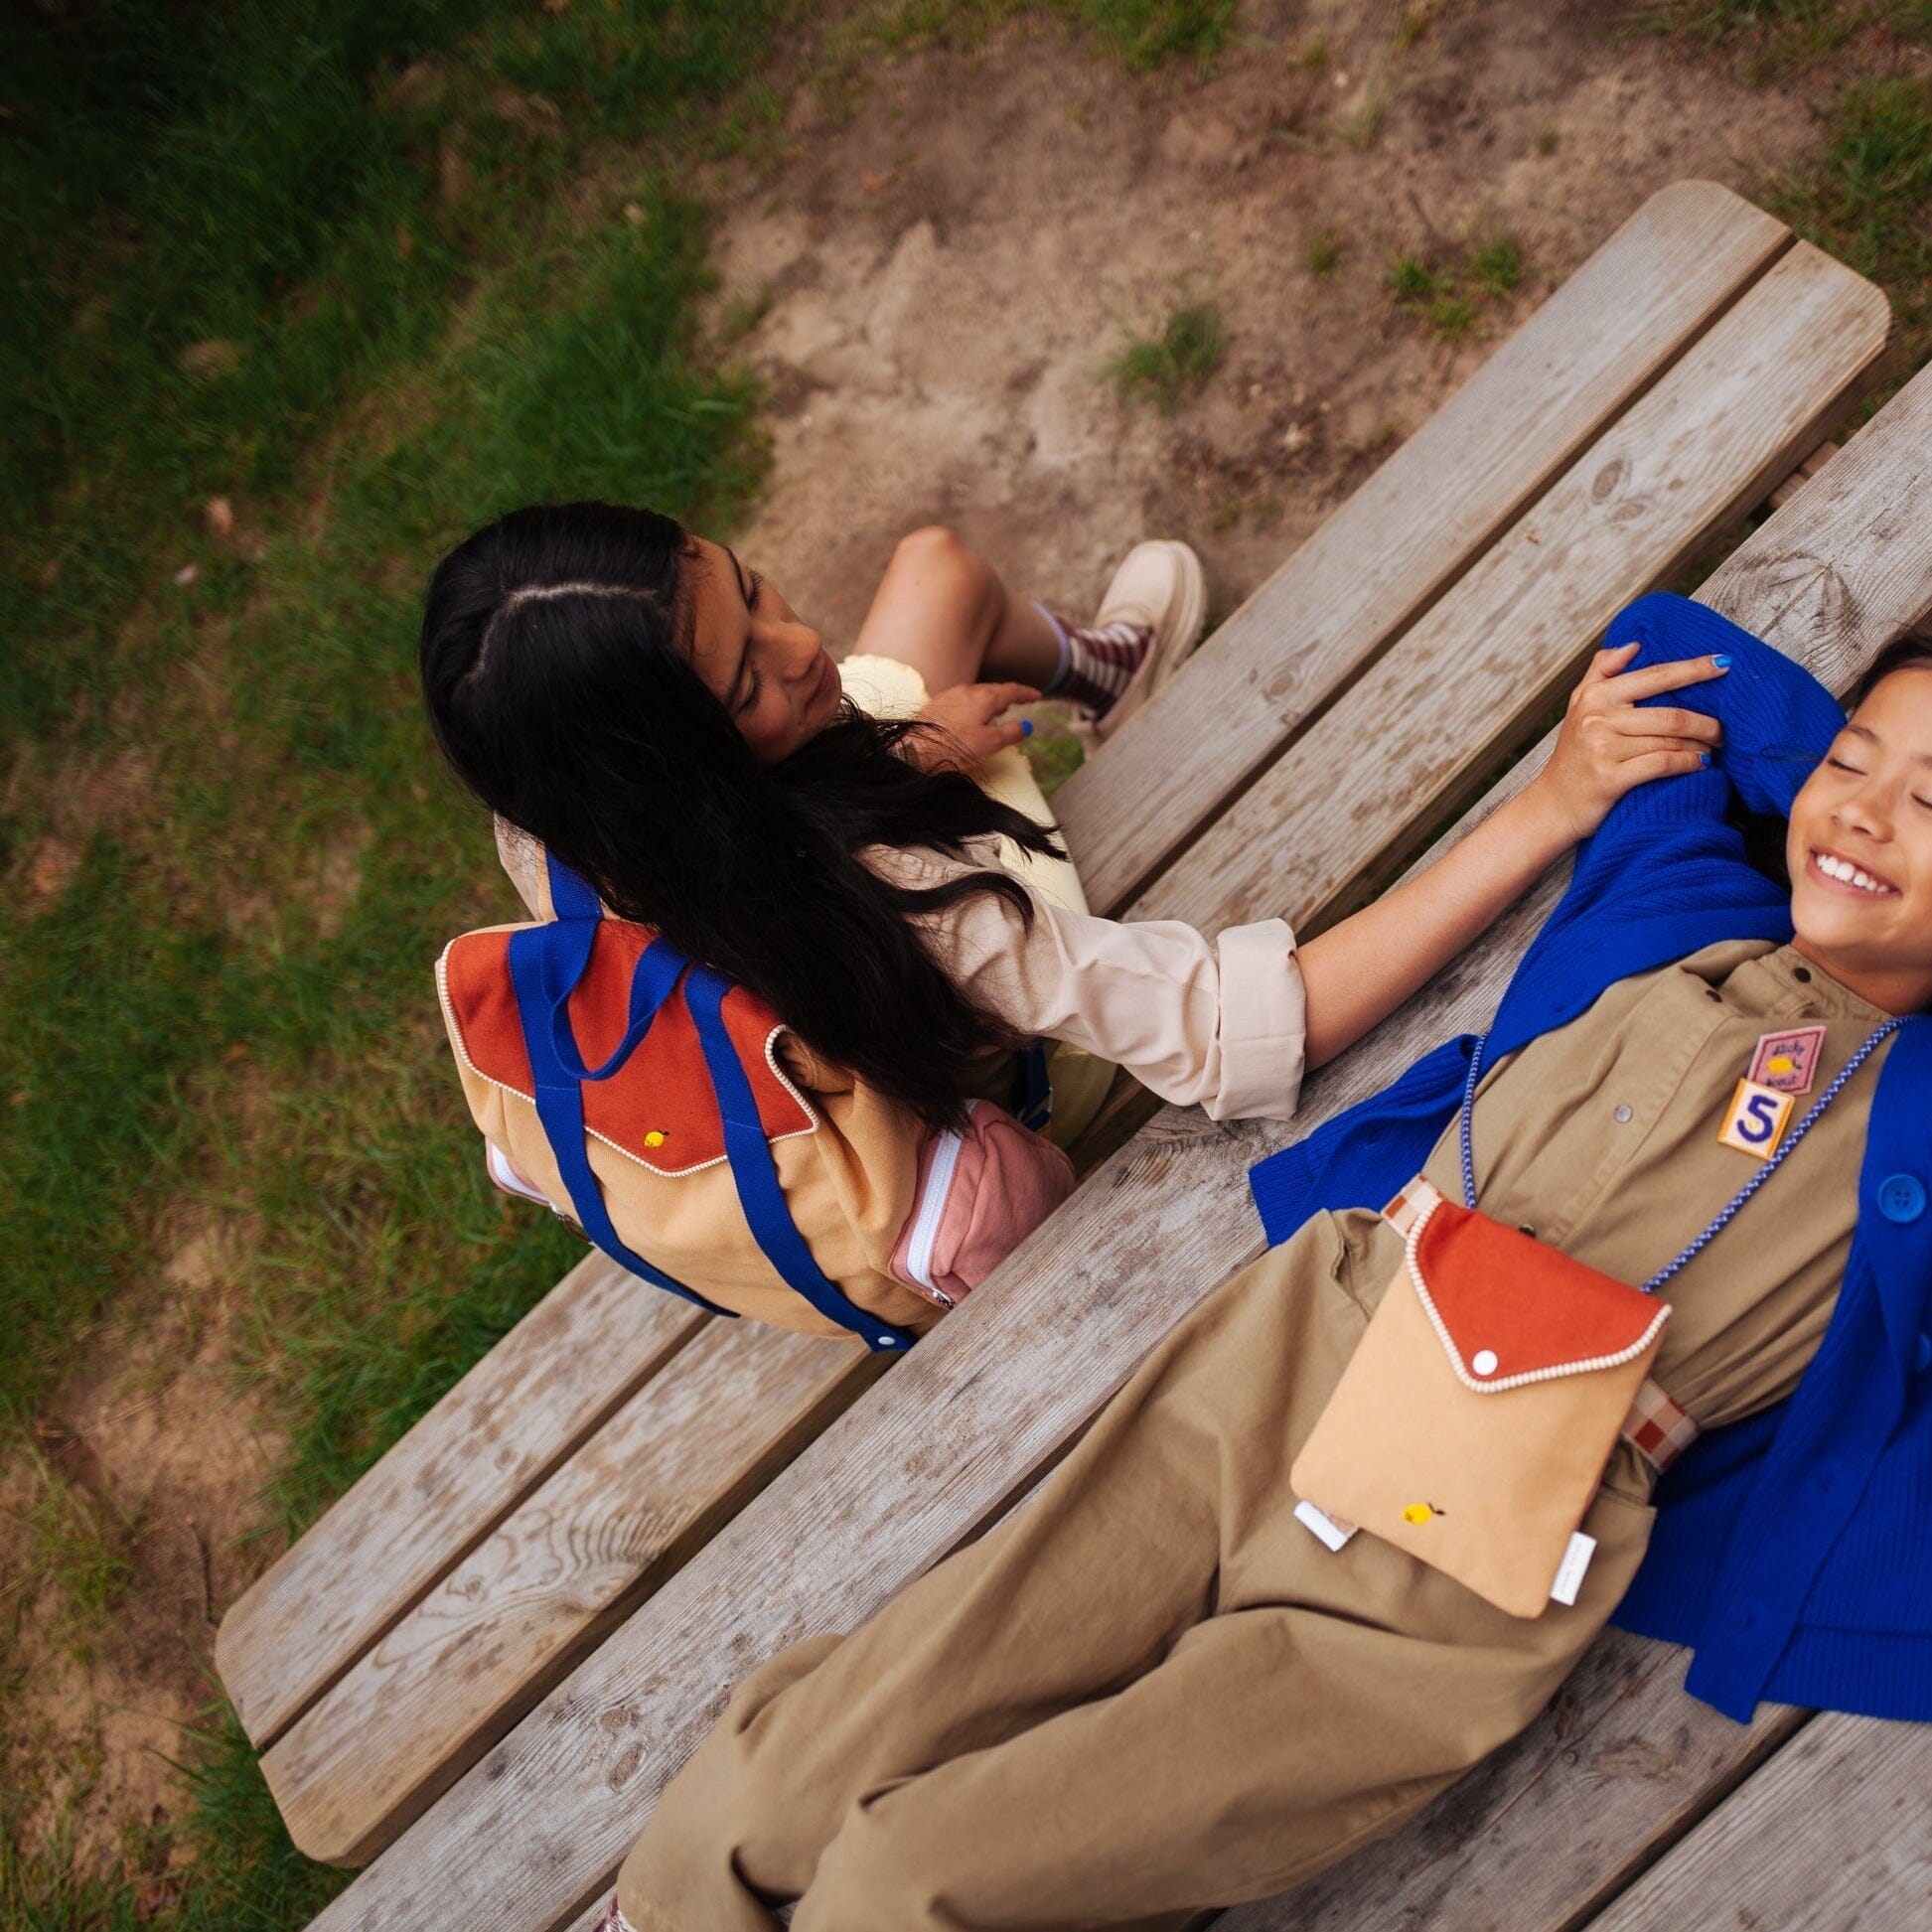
<point x="1317" y="1558"/>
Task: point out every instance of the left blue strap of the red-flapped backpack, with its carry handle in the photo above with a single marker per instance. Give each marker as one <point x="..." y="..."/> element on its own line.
<point x="546" y="967"/>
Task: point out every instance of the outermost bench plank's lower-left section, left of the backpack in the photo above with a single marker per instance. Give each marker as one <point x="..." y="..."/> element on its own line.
<point x="474" y="1458"/>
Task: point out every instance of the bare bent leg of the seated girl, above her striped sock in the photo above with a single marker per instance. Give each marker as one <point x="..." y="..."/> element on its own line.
<point x="944" y="611"/>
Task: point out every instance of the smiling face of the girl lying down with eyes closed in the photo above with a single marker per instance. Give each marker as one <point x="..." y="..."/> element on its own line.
<point x="1861" y="849"/>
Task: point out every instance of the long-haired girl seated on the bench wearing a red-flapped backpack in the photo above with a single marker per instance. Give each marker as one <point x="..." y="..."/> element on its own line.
<point x="772" y="1081"/>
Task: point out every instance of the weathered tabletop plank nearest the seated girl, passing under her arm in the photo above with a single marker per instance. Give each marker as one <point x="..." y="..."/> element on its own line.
<point x="913" y="1469"/>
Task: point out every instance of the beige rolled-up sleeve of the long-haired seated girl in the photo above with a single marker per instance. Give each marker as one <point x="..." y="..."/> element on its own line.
<point x="1205" y="1023"/>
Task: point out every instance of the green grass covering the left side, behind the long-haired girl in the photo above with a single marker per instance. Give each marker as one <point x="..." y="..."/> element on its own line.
<point x="194" y="1023"/>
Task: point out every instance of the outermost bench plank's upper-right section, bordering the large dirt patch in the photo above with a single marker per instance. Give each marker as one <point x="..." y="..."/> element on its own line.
<point x="1431" y="511"/>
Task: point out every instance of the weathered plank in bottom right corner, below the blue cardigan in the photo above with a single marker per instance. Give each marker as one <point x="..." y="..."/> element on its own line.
<point x="1834" y="1833"/>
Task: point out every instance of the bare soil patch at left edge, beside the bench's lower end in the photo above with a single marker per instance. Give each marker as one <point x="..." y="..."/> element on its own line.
<point x="148" y="1469"/>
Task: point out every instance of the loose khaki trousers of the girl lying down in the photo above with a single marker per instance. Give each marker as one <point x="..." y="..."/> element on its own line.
<point x="1147" y="1691"/>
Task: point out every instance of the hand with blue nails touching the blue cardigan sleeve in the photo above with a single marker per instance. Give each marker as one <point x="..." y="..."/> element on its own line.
<point x="1610" y="745"/>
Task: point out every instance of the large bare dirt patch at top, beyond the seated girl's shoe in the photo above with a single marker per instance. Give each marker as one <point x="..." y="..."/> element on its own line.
<point x="950" y="271"/>
